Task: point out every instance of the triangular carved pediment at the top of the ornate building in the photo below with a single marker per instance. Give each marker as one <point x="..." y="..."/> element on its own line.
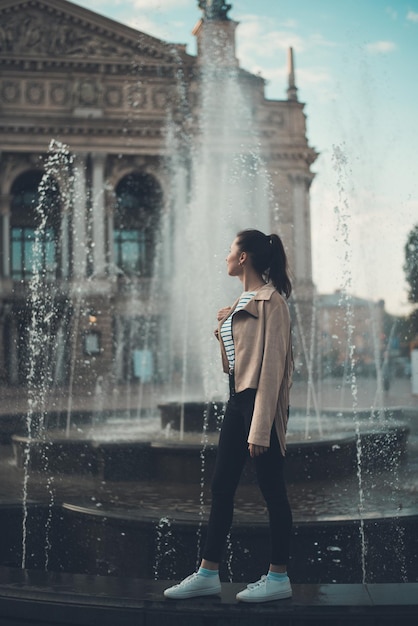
<point x="58" y="29"/>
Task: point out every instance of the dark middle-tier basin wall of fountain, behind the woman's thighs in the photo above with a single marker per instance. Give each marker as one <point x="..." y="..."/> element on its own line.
<point x="171" y="460"/>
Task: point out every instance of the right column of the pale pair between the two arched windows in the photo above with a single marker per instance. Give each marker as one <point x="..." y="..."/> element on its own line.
<point x="98" y="214"/>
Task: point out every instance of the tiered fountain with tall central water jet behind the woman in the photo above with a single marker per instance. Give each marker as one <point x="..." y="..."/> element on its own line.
<point x="132" y="494"/>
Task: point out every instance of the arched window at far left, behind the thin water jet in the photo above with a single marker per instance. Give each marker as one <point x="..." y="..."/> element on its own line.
<point x="35" y="213"/>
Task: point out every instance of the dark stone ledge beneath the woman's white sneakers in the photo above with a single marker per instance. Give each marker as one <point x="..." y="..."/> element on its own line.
<point x="48" y="598"/>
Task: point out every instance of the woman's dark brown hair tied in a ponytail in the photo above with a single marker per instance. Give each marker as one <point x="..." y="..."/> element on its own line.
<point x="268" y="257"/>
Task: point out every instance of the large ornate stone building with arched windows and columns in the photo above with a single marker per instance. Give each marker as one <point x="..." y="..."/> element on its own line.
<point x="81" y="214"/>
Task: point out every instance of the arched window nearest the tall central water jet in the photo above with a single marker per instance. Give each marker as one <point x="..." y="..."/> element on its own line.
<point x="137" y="211"/>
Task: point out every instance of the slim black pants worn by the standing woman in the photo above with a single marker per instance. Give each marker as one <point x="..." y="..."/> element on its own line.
<point x="232" y="455"/>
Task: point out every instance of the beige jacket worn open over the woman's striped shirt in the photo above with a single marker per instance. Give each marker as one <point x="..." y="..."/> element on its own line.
<point x="263" y="361"/>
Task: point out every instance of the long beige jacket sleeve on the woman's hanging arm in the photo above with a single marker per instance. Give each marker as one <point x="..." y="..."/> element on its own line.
<point x="272" y="372"/>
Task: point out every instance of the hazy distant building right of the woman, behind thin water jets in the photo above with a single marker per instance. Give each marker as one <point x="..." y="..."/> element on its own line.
<point x="349" y="328"/>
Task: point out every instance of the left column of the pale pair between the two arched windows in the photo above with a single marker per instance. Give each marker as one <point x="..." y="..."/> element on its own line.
<point x="79" y="218"/>
